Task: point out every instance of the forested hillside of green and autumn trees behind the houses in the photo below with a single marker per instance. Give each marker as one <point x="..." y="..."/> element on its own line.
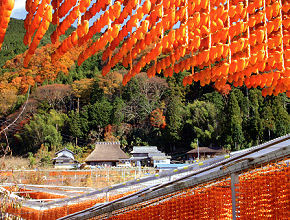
<point x="74" y="106"/>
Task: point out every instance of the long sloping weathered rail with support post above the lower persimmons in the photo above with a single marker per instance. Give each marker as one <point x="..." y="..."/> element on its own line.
<point x="240" y="162"/>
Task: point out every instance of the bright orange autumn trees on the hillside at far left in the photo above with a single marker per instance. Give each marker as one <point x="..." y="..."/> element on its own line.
<point x="40" y="68"/>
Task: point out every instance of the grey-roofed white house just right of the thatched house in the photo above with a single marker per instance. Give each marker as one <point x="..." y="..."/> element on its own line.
<point x="148" y="156"/>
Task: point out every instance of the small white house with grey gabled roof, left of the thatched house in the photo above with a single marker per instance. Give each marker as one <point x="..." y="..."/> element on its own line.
<point x="65" y="159"/>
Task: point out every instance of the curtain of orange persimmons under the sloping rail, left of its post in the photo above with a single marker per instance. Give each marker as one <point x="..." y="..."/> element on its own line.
<point x="204" y="202"/>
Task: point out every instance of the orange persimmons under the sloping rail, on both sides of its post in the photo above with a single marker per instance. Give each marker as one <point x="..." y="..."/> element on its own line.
<point x="261" y="192"/>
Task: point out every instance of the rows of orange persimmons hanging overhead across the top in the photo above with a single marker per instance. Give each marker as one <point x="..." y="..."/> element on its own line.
<point x="241" y="42"/>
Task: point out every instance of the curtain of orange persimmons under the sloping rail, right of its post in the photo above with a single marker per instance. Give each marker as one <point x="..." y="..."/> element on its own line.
<point x="264" y="193"/>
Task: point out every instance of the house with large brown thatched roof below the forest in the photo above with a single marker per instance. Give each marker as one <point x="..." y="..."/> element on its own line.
<point x="106" y="153"/>
